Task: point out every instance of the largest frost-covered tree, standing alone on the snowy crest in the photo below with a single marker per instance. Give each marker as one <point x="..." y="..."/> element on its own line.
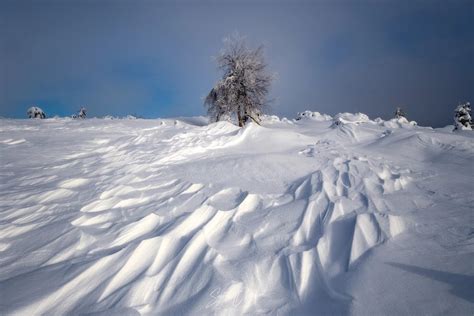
<point x="242" y="92"/>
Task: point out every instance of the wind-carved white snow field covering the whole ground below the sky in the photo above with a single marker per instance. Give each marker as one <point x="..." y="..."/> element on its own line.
<point x="175" y="216"/>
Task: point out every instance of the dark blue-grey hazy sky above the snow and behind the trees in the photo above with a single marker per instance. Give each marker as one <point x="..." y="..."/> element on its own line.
<point x="154" y="58"/>
